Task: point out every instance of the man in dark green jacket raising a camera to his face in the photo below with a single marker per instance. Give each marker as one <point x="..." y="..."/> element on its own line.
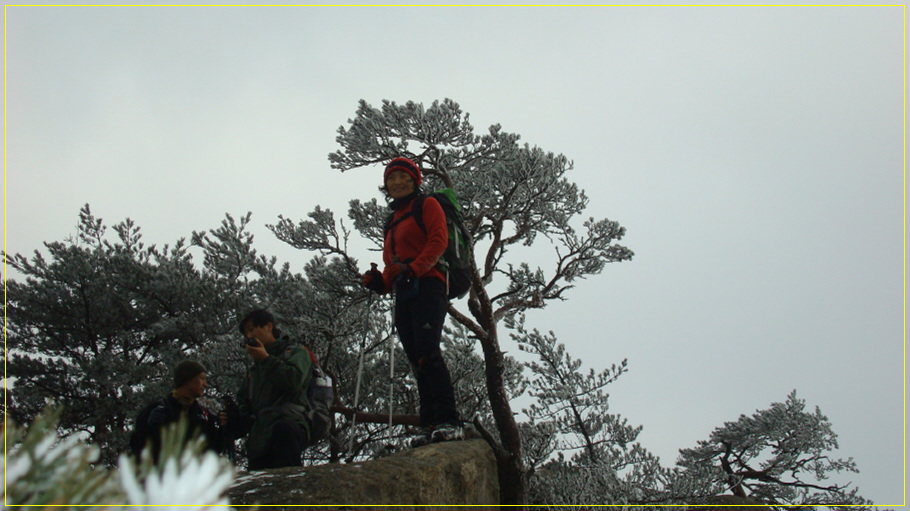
<point x="272" y="401"/>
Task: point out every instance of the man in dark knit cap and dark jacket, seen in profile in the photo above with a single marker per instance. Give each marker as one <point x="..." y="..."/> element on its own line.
<point x="189" y="385"/>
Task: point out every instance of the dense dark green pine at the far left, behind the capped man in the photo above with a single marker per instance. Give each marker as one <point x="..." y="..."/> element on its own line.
<point x="96" y="326"/>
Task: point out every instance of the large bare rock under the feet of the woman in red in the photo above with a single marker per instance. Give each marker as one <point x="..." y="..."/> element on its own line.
<point x="455" y="473"/>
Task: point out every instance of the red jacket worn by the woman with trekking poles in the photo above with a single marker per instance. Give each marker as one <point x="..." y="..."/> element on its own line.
<point x="421" y="250"/>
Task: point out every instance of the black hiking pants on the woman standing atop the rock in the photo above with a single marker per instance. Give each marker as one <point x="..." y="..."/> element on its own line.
<point x="419" y="321"/>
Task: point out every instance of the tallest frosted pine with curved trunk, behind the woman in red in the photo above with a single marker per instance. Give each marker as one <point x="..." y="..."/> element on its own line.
<point x="513" y="196"/>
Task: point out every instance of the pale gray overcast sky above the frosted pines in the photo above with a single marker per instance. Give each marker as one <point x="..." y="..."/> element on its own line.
<point x="754" y="154"/>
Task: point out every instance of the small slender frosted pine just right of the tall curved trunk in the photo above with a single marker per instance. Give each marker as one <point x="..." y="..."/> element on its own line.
<point x="582" y="454"/>
